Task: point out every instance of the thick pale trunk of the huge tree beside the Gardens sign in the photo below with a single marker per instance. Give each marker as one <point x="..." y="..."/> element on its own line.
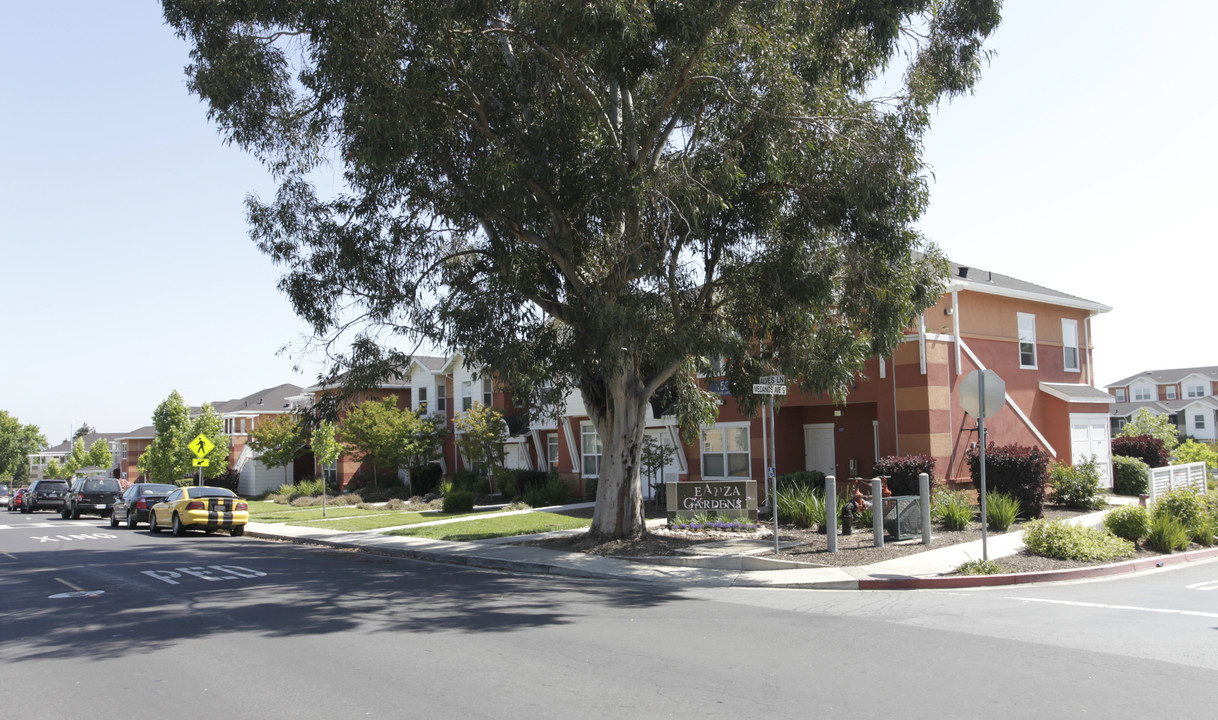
<point x="621" y="420"/>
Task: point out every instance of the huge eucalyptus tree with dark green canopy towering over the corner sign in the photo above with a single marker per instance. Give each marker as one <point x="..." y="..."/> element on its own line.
<point x="596" y="194"/>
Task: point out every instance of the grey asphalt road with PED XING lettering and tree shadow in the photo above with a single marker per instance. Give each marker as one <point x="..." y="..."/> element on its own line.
<point x="100" y="623"/>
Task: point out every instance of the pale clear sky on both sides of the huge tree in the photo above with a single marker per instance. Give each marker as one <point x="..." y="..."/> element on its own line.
<point x="1086" y="161"/>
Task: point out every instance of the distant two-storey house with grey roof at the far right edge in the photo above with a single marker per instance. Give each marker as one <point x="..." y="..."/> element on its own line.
<point x="1185" y="395"/>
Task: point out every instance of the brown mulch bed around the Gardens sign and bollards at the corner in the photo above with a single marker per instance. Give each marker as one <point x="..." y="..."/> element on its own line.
<point x="812" y="546"/>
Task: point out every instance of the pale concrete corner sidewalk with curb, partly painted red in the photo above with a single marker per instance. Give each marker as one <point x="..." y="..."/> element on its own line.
<point x="919" y="571"/>
